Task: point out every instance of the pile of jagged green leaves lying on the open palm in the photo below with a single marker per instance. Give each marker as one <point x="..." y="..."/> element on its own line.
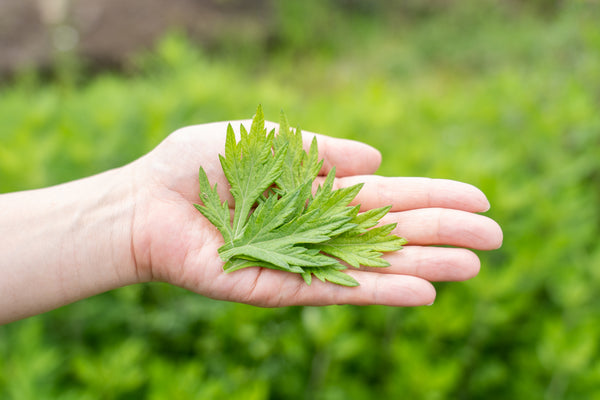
<point x="278" y="223"/>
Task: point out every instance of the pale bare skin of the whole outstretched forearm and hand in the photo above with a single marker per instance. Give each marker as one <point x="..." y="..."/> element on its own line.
<point x="137" y="223"/>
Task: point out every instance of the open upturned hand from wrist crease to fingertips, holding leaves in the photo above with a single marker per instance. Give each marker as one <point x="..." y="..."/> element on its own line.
<point x="173" y="242"/>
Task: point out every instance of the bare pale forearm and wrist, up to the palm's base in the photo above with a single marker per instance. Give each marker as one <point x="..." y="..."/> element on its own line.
<point x="64" y="243"/>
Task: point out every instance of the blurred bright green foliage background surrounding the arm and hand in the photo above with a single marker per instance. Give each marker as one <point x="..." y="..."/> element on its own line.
<point x="501" y="94"/>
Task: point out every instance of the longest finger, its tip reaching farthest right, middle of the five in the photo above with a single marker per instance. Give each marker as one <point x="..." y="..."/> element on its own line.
<point x="440" y="226"/>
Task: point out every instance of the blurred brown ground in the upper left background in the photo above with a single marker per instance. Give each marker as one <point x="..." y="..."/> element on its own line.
<point x="108" y="32"/>
